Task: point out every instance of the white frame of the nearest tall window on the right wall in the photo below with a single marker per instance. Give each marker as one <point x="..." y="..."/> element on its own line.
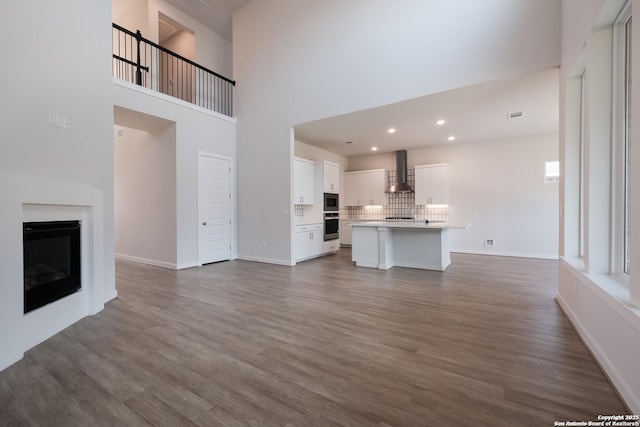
<point x="619" y="136"/>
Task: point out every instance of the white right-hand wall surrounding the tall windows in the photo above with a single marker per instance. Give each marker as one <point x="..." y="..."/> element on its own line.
<point x="598" y="305"/>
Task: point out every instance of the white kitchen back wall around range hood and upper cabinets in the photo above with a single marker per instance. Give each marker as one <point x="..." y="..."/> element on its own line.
<point x="498" y="186"/>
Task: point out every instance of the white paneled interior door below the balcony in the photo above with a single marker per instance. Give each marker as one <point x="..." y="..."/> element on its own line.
<point x="214" y="208"/>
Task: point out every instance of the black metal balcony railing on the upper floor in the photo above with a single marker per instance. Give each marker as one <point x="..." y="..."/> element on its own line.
<point x="145" y="63"/>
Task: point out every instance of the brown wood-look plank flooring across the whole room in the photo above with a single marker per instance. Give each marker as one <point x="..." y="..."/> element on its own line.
<point x="323" y="343"/>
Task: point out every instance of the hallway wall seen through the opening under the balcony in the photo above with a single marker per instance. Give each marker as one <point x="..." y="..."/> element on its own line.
<point x="145" y="194"/>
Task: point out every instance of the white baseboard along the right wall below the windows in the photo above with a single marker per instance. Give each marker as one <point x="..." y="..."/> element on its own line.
<point x="628" y="395"/>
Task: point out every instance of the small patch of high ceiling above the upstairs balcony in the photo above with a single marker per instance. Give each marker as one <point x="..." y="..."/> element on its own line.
<point x="215" y="14"/>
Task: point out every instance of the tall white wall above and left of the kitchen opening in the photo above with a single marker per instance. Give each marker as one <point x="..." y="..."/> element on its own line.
<point x="301" y="61"/>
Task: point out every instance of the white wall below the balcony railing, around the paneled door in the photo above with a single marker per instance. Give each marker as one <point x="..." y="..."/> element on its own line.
<point x="196" y="129"/>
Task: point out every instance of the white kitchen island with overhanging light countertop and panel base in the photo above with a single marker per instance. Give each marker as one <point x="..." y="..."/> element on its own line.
<point x="384" y="244"/>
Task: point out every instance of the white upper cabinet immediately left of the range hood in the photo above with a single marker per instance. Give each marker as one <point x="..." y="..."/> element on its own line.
<point x="365" y="188"/>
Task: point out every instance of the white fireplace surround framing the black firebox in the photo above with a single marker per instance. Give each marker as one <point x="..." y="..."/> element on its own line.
<point x="43" y="200"/>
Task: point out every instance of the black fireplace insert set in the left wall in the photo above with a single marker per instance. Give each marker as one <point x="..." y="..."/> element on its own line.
<point x="51" y="262"/>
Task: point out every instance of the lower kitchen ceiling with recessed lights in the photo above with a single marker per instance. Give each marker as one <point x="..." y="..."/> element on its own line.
<point x="473" y="114"/>
